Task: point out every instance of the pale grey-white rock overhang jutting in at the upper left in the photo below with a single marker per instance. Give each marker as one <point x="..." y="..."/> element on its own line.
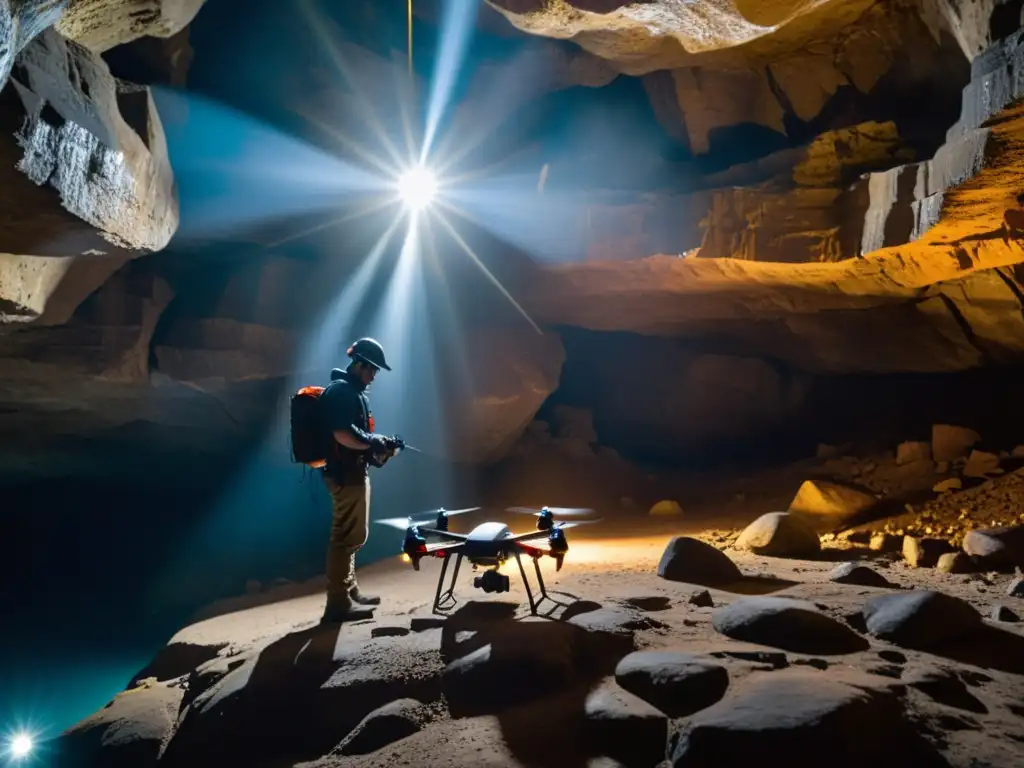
<point x="87" y="162"/>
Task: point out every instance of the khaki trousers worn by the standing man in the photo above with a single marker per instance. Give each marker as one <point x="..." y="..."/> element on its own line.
<point x="350" y="530"/>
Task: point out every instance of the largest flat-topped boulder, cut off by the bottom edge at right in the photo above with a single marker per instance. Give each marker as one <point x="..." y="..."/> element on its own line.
<point x="802" y="713"/>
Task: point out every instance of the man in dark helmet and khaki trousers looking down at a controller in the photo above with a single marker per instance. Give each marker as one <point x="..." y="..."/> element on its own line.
<point x="354" y="446"/>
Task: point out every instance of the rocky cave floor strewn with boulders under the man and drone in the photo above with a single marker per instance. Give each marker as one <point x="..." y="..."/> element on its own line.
<point x="685" y="637"/>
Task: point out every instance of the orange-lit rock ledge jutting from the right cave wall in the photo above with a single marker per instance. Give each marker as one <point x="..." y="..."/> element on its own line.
<point x="929" y="289"/>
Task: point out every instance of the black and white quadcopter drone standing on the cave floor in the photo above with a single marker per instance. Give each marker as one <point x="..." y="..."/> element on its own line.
<point x="489" y="545"/>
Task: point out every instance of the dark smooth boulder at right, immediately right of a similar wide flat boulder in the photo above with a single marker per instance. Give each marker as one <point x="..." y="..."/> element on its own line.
<point x="921" y="619"/>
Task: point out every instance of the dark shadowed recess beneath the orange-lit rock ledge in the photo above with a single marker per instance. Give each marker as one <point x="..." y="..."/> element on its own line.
<point x="685" y="405"/>
